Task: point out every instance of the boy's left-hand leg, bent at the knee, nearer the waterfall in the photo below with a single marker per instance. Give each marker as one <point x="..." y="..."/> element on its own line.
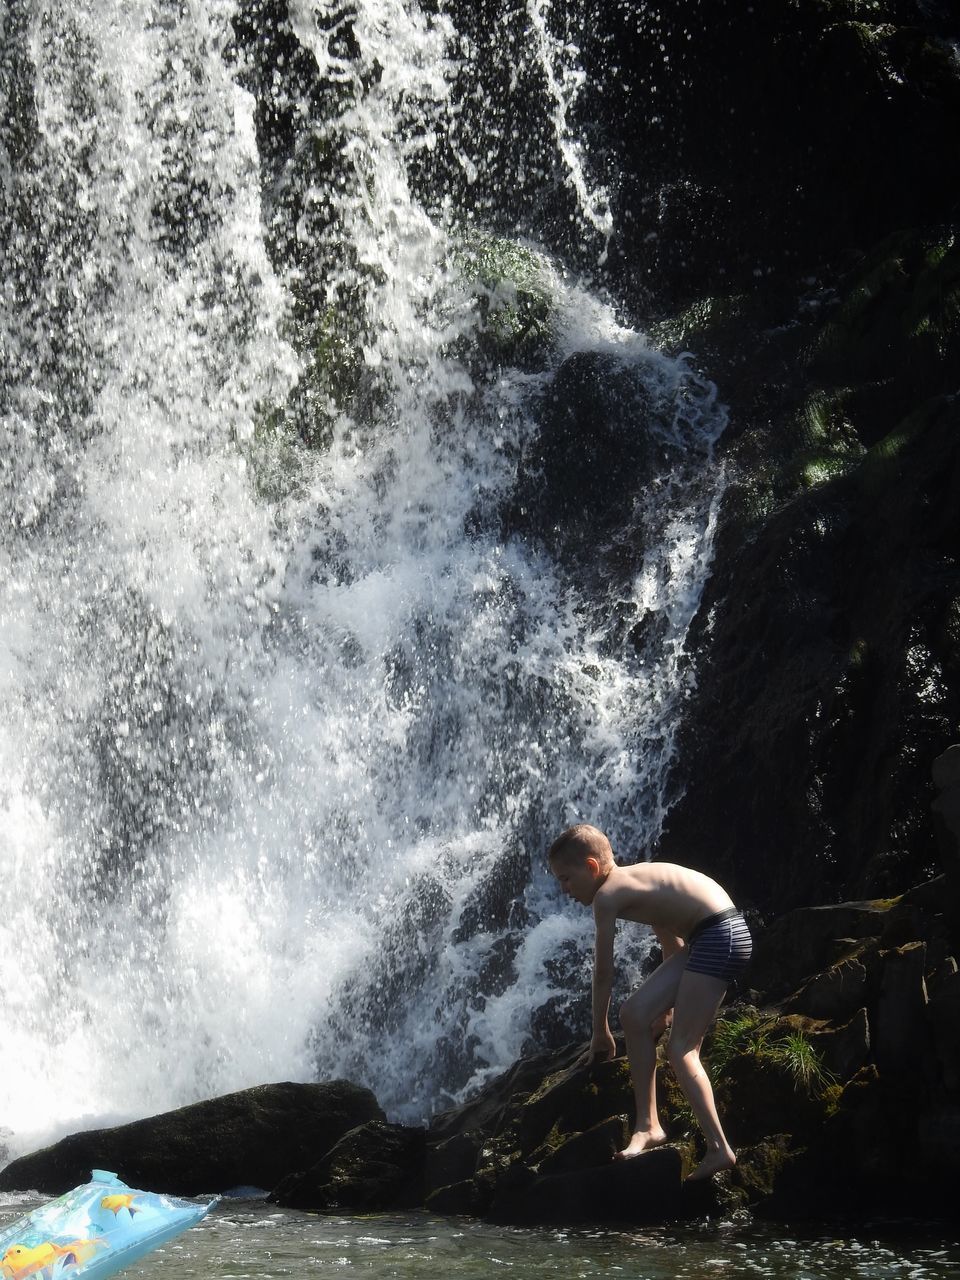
<point x="642" y="1020"/>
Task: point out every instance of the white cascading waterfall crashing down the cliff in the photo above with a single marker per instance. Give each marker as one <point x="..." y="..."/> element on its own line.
<point x="286" y="730"/>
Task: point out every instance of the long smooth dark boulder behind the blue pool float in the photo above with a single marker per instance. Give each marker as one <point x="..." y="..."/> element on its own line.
<point x="252" y="1139"/>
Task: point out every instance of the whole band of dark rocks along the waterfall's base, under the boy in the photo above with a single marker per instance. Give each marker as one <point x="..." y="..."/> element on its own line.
<point x="836" y="1069"/>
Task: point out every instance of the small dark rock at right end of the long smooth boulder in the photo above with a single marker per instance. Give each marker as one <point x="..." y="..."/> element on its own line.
<point x="376" y="1167"/>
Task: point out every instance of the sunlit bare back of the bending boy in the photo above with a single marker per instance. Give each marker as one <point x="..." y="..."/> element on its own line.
<point x="670" y="899"/>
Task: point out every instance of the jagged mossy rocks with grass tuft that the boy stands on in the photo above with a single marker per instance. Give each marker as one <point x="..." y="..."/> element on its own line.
<point x="835" y="1113"/>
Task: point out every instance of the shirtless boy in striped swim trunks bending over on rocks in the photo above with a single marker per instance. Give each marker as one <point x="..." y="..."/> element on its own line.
<point x="706" y="945"/>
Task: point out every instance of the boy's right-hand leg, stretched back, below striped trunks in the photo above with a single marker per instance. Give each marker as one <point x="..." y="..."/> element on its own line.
<point x="698" y="1000"/>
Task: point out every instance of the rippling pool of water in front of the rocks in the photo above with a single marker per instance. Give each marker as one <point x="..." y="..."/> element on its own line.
<point x="246" y="1240"/>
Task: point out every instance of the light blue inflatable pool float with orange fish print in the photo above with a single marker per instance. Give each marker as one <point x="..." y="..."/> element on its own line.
<point x="93" y="1232"/>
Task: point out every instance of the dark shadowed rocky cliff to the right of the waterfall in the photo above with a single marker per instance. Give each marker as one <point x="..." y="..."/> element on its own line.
<point x="784" y="182"/>
